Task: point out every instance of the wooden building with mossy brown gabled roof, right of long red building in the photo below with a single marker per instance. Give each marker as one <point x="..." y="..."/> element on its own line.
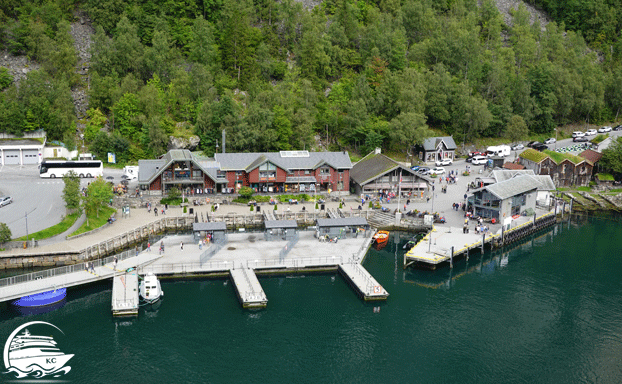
<point x="377" y="172"/>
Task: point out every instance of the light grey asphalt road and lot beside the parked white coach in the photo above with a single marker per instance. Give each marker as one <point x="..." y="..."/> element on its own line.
<point x="37" y="203"/>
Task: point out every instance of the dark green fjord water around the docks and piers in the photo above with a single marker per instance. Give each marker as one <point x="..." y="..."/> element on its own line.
<point x="546" y="310"/>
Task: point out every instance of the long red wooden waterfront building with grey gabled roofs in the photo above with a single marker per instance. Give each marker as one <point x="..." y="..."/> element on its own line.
<point x="285" y="171"/>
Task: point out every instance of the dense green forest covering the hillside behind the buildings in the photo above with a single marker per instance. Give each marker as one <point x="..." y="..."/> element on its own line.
<point x="276" y="75"/>
